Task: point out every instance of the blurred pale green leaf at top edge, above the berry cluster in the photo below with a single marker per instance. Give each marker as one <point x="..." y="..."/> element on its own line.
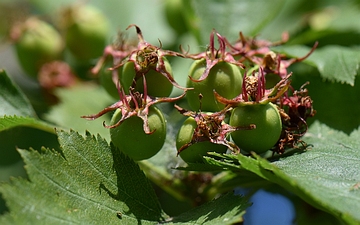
<point x="229" y="17"/>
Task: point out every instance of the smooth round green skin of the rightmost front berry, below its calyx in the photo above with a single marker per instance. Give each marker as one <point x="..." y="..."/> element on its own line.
<point x="267" y="119"/>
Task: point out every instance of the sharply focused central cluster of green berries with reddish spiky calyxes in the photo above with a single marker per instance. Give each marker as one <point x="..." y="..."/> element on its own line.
<point x="231" y="106"/>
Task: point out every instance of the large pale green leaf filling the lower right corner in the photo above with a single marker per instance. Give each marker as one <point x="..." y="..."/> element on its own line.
<point x="328" y="173"/>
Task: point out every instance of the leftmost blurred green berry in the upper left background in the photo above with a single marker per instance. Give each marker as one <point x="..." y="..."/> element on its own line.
<point x="36" y="43"/>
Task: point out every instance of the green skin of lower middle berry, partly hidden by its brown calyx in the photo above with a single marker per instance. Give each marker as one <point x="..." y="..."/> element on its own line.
<point x="195" y="152"/>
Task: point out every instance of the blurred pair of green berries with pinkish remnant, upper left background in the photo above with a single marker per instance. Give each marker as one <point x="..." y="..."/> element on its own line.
<point x="51" y="52"/>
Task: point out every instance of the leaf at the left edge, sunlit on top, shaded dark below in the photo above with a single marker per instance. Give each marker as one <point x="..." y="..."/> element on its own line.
<point x="19" y="128"/>
